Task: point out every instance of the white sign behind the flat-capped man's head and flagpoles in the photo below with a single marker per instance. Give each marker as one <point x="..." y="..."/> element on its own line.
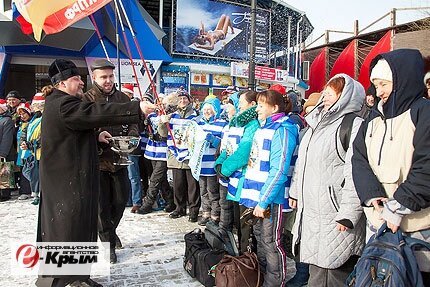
<point x="127" y="75"/>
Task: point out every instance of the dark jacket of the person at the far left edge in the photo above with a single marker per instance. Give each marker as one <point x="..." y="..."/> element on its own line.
<point x="7" y="136"/>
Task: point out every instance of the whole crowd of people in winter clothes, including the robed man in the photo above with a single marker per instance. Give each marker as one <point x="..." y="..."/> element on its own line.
<point x="319" y="177"/>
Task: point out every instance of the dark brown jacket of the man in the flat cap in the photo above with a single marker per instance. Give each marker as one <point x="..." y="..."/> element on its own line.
<point x="107" y="155"/>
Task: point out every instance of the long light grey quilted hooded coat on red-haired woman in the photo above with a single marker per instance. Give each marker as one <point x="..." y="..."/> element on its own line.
<point x="323" y="186"/>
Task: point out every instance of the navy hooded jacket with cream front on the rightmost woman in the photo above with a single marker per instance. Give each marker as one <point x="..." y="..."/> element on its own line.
<point x="407" y="100"/>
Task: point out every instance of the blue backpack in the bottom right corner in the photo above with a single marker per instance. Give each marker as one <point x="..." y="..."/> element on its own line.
<point x="387" y="260"/>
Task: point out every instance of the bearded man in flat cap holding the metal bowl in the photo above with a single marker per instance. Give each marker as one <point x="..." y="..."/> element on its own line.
<point x="114" y="182"/>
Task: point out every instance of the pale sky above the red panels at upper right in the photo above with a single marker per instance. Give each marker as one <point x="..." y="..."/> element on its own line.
<point x="340" y="14"/>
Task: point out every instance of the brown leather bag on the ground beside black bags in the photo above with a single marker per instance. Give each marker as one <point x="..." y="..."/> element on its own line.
<point x="241" y="271"/>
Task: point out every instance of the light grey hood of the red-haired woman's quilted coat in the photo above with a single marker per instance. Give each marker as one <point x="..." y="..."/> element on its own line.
<point x="350" y="101"/>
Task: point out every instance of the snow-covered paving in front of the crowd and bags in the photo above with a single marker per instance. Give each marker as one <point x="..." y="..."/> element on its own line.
<point x="152" y="255"/>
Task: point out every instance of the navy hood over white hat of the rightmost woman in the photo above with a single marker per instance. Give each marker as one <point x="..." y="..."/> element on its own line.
<point x="407" y="67"/>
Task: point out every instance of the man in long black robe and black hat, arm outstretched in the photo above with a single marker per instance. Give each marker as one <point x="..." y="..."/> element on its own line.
<point x="69" y="164"/>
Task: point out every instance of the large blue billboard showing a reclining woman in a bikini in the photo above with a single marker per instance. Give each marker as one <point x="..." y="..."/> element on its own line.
<point x="218" y="29"/>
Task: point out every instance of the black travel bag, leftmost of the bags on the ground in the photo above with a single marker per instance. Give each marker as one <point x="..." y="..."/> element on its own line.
<point x="200" y="257"/>
